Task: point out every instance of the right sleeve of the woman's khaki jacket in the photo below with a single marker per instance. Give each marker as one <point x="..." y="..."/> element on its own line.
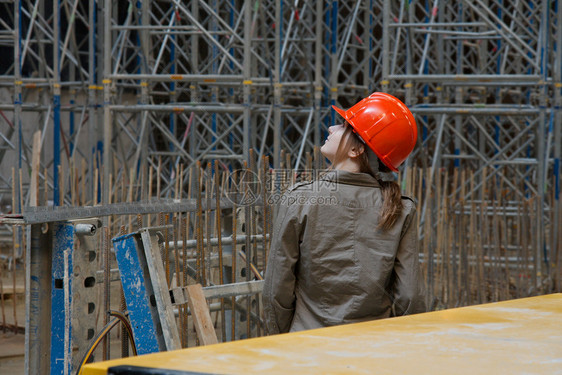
<point x="407" y="286"/>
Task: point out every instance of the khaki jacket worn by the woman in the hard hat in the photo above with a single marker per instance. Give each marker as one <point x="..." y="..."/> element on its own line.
<point x="329" y="264"/>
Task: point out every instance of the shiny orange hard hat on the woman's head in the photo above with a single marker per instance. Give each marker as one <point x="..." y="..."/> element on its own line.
<point x="386" y="125"/>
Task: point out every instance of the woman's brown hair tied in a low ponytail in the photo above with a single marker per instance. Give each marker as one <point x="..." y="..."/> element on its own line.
<point x="391" y="196"/>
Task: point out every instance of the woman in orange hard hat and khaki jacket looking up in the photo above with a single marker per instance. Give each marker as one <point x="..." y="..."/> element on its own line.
<point x="344" y="247"/>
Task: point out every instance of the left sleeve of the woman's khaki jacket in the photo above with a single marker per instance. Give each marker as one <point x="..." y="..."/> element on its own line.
<point x="279" y="286"/>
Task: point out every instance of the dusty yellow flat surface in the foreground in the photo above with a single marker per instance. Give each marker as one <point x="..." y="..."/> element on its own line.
<point x="521" y="336"/>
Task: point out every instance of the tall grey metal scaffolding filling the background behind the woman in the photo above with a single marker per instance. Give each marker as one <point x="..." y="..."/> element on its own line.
<point x="122" y="89"/>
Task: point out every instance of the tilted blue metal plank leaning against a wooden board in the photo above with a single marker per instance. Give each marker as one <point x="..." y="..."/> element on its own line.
<point x="136" y="294"/>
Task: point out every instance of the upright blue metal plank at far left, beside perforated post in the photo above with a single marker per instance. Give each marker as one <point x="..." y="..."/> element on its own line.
<point x="61" y="298"/>
